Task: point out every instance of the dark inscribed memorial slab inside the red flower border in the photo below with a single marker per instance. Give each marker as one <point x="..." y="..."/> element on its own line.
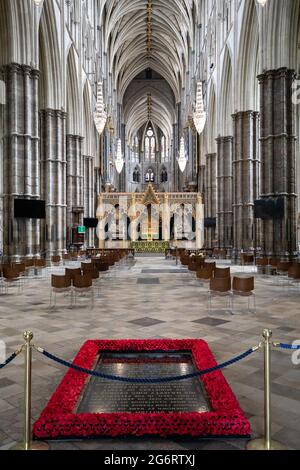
<point x="106" y="396"/>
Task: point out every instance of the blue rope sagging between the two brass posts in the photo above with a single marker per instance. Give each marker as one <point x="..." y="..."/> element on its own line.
<point x="148" y="380"/>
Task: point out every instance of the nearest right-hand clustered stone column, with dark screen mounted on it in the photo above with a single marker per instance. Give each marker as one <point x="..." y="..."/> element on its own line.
<point x="278" y="146"/>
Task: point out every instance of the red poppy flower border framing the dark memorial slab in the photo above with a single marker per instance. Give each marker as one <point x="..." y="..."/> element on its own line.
<point x="58" y="419"/>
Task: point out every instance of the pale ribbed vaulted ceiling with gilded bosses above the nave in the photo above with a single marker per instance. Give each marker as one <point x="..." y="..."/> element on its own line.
<point x="149" y="34"/>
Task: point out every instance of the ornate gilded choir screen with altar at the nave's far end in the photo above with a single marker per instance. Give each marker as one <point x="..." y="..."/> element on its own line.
<point x="140" y="220"/>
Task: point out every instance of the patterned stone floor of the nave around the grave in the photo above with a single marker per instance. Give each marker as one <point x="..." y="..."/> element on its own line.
<point x="153" y="298"/>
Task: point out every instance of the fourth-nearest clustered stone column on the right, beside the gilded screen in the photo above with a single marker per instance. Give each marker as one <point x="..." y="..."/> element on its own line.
<point x="210" y="197"/>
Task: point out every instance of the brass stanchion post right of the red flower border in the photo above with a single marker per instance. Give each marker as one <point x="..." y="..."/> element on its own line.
<point x="266" y="443"/>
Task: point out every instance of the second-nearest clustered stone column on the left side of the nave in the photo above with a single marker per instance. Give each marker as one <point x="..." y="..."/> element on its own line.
<point x="53" y="172"/>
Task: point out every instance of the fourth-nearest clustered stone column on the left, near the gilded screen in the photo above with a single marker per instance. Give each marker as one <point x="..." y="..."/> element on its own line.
<point x="89" y="195"/>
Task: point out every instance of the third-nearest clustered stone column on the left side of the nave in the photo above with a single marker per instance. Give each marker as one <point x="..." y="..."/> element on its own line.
<point x="75" y="183"/>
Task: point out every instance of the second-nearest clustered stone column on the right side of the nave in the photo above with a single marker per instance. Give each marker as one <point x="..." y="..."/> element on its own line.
<point x="246" y="167"/>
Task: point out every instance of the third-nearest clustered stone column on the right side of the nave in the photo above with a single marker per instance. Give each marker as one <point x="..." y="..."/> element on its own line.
<point x="224" y="190"/>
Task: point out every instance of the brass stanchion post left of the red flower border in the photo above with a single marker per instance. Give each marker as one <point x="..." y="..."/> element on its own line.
<point x="27" y="443"/>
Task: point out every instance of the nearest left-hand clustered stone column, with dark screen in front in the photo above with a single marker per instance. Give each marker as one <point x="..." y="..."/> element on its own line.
<point x="20" y="158"/>
